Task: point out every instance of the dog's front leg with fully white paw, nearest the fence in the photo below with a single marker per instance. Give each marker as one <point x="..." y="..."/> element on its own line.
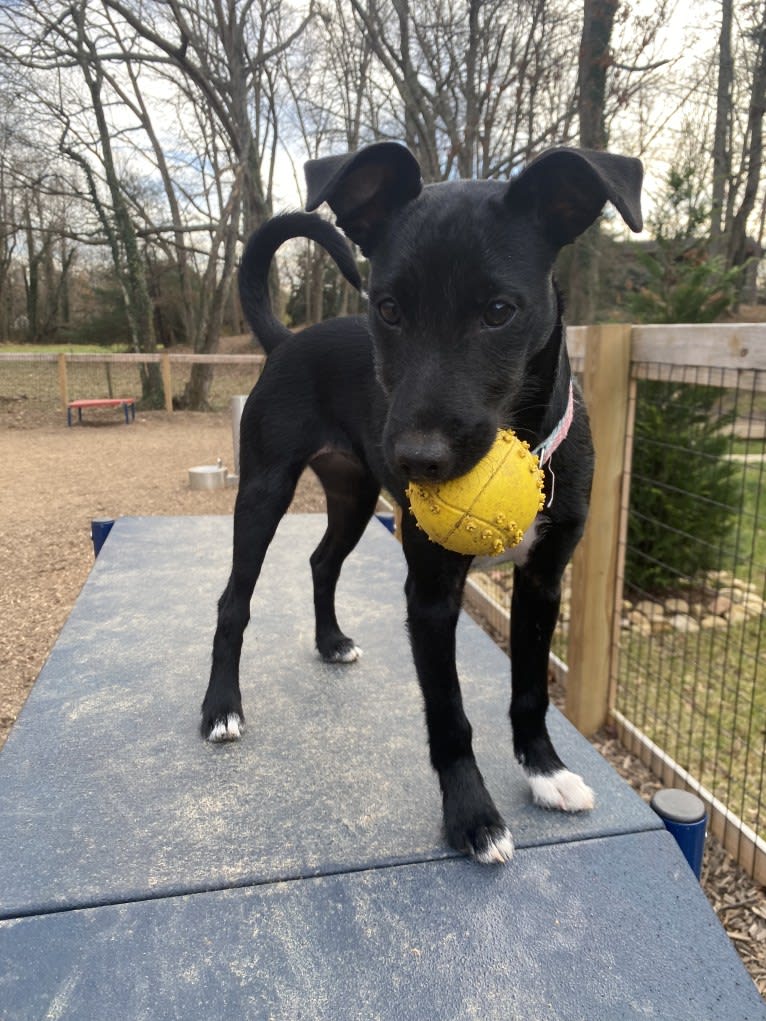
<point x="535" y="611"/>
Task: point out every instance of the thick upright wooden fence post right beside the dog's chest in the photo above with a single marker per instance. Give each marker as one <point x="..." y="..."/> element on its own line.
<point x="595" y="568"/>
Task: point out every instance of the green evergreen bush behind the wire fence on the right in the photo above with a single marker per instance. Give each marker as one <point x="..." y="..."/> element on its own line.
<point x="682" y="493"/>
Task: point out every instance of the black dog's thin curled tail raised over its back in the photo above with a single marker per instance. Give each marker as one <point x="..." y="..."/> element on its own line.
<point x="257" y="260"/>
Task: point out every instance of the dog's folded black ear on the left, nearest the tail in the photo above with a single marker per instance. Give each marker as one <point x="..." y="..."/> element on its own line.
<point x="364" y="188"/>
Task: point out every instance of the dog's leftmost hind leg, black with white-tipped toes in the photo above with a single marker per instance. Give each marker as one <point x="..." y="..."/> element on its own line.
<point x="261" y="505"/>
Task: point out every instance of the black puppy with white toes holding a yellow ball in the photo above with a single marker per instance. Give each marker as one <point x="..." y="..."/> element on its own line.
<point x="464" y="336"/>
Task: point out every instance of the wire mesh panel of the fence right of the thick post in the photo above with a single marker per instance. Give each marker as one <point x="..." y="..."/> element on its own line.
<point x="691" y="672"/>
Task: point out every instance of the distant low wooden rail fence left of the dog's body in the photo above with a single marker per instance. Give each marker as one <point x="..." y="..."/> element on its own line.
<point x="54" y="379"/>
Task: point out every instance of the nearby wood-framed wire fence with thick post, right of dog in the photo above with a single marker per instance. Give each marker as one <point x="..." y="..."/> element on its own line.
<point x="683" y="675"/>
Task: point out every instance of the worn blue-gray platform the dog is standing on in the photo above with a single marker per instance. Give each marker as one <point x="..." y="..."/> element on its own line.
<point x="301" y="872"/>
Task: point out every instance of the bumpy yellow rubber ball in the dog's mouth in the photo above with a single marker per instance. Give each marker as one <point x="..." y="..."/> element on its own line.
<point x="486" y="512"/>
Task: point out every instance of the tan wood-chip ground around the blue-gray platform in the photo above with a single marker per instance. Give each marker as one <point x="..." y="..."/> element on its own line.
<point x="59" y="479"/>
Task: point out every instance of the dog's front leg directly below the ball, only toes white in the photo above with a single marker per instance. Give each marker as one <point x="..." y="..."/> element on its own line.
<point x="435" y="589"/>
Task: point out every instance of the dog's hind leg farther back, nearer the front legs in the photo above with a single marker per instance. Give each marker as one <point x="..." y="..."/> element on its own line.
<point x="352" y="496"/>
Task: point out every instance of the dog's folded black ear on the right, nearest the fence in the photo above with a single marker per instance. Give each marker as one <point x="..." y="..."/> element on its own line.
<point x="568" y="189"/>
